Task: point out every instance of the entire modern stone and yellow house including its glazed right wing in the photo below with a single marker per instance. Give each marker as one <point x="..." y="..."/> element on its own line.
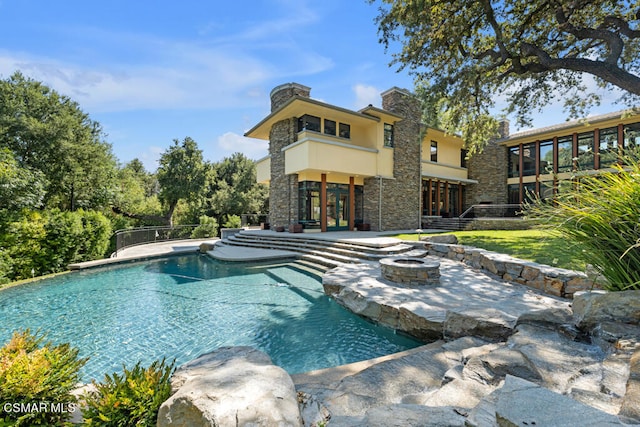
<point x="331" y="168"/>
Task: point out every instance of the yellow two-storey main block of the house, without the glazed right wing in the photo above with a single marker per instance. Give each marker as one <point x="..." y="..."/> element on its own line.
<point x="331" y="168"/>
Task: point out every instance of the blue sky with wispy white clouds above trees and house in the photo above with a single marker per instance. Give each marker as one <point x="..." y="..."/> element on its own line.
<point x="154" y="71"/>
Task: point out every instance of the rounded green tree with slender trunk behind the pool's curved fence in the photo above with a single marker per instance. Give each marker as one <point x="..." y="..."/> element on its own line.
<point x="181" y="175"/>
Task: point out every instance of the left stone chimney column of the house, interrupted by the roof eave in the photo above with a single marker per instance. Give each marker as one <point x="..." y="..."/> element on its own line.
<point x="283" y="189"/>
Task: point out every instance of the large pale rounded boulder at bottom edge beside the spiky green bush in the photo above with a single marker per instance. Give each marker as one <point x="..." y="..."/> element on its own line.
<point x="229" y="387"/>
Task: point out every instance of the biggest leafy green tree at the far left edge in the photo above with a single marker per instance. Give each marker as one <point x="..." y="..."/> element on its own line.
<point x="49" y="133"/>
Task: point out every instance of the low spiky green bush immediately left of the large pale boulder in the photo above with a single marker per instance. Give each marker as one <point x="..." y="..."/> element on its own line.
<point x="130" y="399"/>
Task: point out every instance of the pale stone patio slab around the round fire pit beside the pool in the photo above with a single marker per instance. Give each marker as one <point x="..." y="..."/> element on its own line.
<point x="466" y="302"/>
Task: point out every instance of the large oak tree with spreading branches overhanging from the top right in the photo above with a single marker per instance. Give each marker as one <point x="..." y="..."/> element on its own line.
<point x="467" y="53"/>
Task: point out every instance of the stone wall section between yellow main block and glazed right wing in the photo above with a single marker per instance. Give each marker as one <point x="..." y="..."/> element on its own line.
<point x="489" y="168"/>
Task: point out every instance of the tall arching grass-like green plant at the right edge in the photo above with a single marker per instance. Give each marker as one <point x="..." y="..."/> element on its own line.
<point x="601" y="215"/>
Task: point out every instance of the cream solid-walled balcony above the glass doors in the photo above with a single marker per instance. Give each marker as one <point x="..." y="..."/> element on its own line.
<point x="321" y="154"/>
